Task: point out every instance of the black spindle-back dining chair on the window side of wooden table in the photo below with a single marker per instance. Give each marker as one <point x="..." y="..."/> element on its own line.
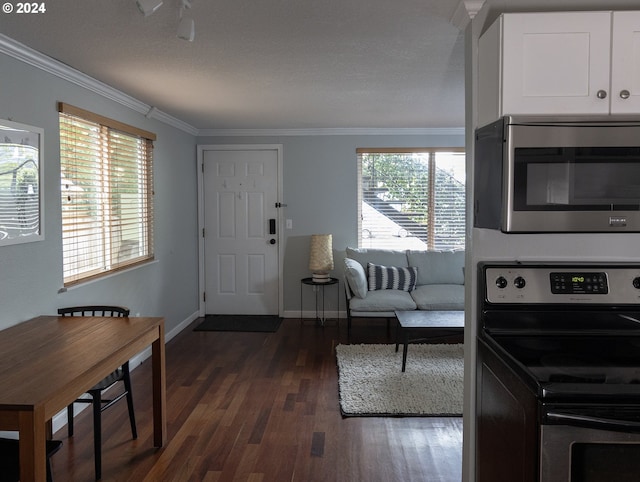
<point x="99" y="404"/>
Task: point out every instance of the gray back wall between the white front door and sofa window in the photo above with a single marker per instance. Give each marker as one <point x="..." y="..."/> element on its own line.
<point x="319" y="189"/>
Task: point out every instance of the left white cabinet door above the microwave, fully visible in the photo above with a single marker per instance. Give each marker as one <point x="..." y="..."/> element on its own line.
<point x="556" y="63"/>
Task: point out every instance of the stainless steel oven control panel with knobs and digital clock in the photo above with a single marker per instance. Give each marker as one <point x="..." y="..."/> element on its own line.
<point x="548" y="283"/>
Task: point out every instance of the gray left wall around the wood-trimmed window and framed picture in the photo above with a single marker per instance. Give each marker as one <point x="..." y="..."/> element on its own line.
<point x="31" y="274"/>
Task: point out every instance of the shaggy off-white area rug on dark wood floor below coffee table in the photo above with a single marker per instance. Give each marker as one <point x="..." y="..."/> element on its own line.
<point x="371" y="380"/>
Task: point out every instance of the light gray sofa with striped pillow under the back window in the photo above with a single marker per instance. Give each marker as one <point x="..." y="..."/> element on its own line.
<point x="380" y="281"/>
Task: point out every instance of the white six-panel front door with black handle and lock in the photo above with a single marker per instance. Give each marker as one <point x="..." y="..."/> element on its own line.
<point x="241" y="230"/>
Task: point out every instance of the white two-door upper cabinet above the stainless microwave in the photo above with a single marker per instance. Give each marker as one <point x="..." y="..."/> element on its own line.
<point x="560" y="63"/>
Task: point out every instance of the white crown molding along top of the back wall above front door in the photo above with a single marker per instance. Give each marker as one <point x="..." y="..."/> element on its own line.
<point x="429" y="131"/>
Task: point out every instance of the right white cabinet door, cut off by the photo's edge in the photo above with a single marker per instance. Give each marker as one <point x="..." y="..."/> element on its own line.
<point x="625" y="63"/>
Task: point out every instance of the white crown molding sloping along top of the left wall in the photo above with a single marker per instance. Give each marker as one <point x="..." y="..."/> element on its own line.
<point x="25" y="54"/>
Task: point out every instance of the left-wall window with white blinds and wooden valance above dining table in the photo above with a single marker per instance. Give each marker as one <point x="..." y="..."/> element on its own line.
<point x="107" y="187"/>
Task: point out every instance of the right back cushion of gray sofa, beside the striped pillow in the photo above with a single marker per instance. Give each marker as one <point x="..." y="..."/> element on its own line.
<point x="438" y="267"/>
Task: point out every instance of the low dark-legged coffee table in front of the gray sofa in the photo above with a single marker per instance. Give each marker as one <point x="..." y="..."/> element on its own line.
<point x="426" y="325"/>
